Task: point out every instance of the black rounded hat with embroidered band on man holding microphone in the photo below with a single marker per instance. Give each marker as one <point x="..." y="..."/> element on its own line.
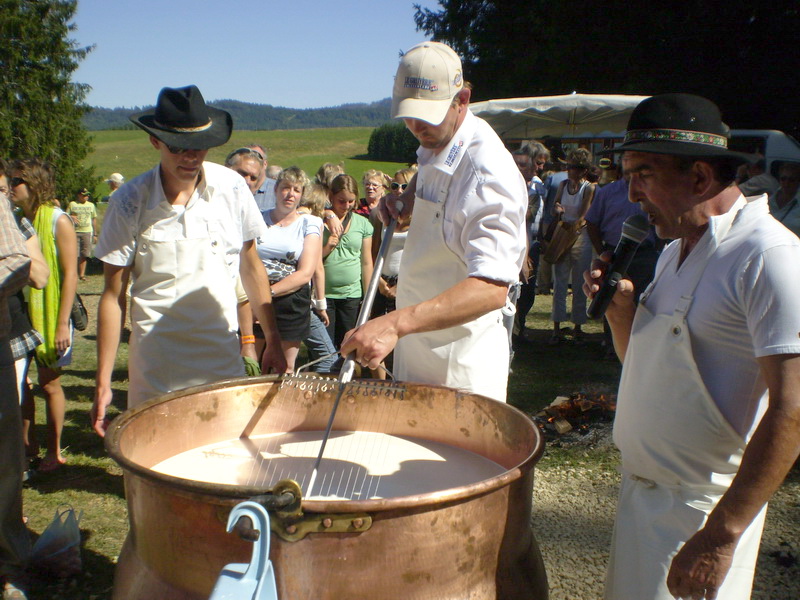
<point x="679" y="124"/>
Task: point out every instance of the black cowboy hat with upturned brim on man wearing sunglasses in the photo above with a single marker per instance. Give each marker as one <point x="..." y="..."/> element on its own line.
<point x="182" y="119"/>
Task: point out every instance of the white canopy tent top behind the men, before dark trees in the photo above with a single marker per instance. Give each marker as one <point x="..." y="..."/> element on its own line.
<point x="571" y="115"/>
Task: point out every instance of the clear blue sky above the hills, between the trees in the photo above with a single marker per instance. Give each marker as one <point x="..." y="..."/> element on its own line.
<point x="298" y="54"/>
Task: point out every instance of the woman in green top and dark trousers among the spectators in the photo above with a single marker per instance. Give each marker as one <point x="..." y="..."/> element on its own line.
<point x="347" y="259"/>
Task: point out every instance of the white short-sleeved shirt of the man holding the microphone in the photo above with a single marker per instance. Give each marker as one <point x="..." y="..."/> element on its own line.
<point x="746" y="306"/>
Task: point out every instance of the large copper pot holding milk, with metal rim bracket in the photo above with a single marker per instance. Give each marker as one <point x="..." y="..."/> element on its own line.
<point x="470" y="542"/>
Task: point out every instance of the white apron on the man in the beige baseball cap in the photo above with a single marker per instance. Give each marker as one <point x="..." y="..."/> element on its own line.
<point x="473" y="356"/>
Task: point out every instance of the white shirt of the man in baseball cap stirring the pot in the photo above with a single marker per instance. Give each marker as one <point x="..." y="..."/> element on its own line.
<point x="484" y="215"/>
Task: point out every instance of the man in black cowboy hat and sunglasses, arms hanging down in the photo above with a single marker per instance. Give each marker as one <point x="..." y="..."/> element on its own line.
<point x="184" y="230"/>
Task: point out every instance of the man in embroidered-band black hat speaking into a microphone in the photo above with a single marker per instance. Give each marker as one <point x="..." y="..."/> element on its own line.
<point x="708" y="412"/>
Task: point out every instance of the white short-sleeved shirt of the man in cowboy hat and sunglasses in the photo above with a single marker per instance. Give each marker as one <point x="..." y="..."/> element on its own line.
<point x="222" y="202"/>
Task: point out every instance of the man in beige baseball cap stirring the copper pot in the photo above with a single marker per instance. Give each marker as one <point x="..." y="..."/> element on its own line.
<point x="466" y="242"/>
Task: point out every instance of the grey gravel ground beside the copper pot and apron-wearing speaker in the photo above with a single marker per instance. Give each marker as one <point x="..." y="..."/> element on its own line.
<point x="573" y="516"/>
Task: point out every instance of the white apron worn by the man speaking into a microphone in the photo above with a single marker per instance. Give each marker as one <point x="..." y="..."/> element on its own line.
<point x="680" y="455"/>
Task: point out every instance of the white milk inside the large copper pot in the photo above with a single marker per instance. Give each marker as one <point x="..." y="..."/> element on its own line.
<point x="356" y="465"/>
